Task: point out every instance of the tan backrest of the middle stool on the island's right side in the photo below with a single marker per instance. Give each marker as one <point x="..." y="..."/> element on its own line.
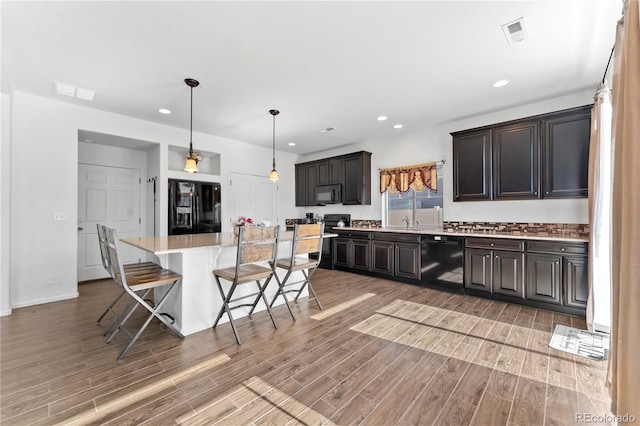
<point x="257" y="244"/>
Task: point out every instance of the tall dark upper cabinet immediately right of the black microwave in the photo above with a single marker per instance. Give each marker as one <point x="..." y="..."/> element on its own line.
<point x="356" y="188"/>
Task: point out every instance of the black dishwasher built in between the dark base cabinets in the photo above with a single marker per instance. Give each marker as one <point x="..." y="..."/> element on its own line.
<point x="443" y="262"/>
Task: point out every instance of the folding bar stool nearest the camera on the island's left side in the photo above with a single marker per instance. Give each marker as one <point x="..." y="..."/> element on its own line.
<point x="138" y="285"/>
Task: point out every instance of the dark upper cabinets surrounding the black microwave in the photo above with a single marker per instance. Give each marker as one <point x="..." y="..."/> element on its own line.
<point x="352" y="171"/>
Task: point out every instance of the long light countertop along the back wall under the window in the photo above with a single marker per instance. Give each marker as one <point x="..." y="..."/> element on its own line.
<point x="569" y="236"/>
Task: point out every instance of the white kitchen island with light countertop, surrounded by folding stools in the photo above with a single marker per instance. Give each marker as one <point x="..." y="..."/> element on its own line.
<point x="195" y="303"/>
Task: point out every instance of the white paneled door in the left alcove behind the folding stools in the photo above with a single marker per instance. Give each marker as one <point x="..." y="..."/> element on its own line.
<point x="110" y="196"/>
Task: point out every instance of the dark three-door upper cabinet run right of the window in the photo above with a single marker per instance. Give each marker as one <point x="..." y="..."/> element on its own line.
<point x="544" y="156"/>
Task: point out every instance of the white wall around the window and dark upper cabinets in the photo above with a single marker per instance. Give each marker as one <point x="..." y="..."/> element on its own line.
<point x="435" y="144"/>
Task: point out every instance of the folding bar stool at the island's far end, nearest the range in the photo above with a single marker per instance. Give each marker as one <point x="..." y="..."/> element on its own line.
<point x="307" y="239"/>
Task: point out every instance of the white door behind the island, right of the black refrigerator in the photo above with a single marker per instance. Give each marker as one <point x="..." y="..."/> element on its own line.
<point x="253" y="196"/>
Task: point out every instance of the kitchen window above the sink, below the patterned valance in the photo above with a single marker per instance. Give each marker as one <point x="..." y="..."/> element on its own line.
<point x="420" y="208"/>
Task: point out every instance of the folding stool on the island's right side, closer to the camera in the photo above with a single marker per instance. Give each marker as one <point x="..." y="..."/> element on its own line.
<point x="256" y="244"/>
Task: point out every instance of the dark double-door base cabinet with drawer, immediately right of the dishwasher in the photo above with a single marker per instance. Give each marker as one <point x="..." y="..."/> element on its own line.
<point x="490" y="269"/>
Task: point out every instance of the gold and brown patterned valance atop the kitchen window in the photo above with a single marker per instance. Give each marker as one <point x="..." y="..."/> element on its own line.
<point x="399" y="179"/>
